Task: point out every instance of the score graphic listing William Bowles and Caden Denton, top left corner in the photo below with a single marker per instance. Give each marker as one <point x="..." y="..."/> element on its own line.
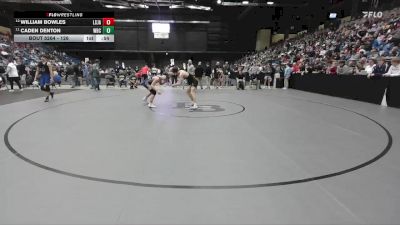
<point x="64" y="26"/>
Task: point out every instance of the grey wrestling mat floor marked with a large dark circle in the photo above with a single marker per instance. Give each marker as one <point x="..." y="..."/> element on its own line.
<point x="245" y="157"/>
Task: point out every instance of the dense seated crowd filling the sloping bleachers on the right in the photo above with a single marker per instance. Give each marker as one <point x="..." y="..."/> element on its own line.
<point x="357" y="41"/>
